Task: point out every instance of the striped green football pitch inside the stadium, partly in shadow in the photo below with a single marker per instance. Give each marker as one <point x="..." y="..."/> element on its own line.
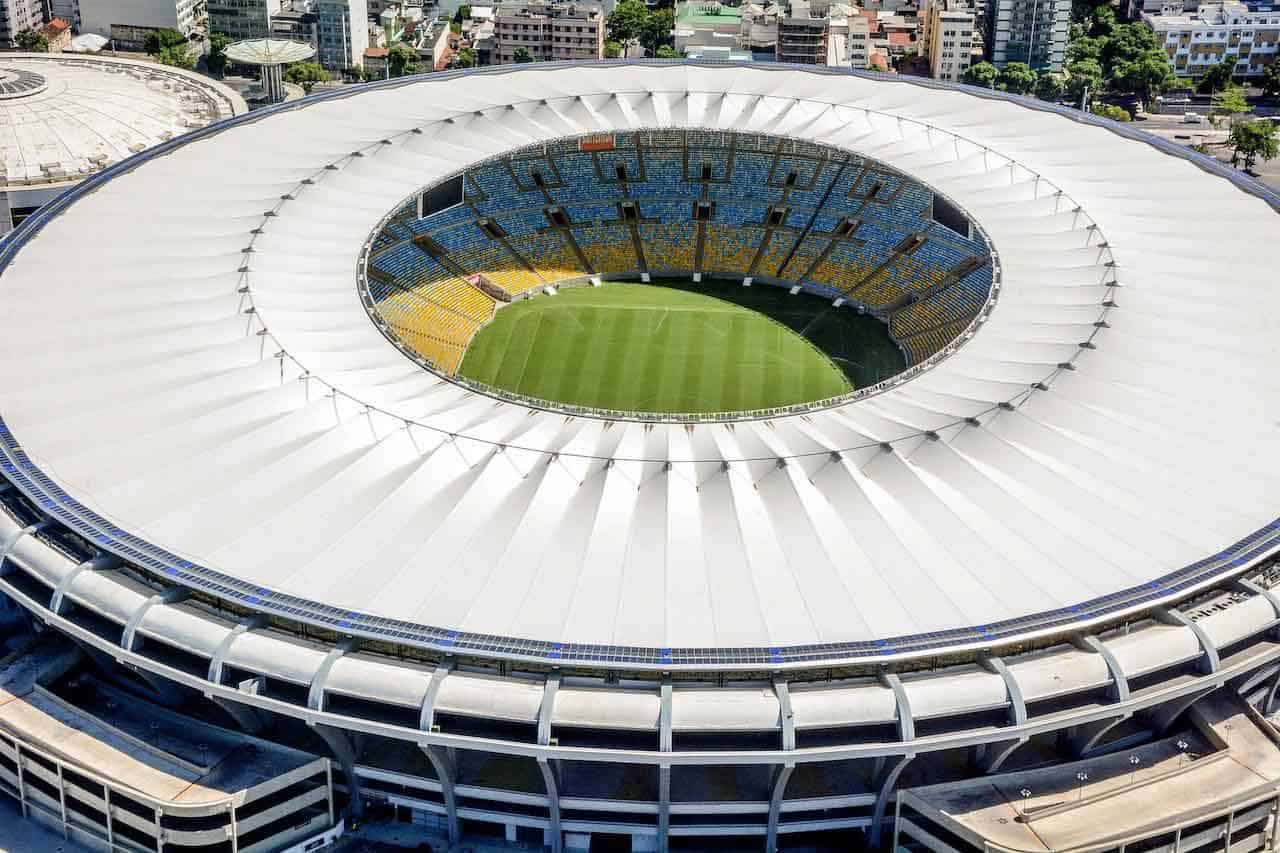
<point x="680" y="348"/>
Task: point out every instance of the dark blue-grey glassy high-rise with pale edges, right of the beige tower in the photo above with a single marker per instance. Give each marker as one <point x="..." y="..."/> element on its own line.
<point x="1028" y="31"/>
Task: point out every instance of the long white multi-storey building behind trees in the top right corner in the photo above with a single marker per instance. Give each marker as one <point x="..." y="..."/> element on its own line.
<point x="1249" y="31"/>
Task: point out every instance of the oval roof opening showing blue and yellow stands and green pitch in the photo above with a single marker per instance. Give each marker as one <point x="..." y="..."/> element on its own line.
<point x="678" y="273"/>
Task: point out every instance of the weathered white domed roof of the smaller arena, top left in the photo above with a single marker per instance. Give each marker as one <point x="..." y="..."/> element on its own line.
<point x="65" y="117"/>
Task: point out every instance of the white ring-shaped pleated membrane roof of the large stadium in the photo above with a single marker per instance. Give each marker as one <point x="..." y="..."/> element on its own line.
<point x="209" y="398"/>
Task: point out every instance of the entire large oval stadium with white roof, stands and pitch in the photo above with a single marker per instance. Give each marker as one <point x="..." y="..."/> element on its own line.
<point x="647" y="457"/>
